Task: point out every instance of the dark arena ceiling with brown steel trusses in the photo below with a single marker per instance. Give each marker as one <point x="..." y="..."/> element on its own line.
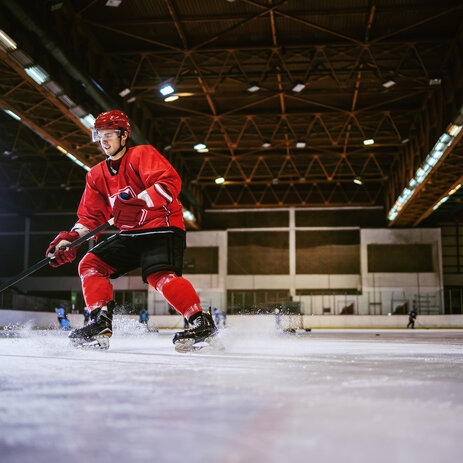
<point x="326" y="77"/>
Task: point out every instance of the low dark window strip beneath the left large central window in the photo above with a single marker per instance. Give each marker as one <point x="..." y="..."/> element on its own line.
<point x="256" y="301"/>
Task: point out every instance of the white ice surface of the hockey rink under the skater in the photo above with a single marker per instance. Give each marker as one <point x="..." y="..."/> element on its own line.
<point x="321" y="396"/>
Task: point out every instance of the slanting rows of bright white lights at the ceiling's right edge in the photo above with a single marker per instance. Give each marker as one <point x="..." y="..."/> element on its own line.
<point x="431" y="160"/>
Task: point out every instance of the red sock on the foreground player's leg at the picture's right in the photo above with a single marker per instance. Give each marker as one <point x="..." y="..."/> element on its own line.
<point x="178" y="292"/>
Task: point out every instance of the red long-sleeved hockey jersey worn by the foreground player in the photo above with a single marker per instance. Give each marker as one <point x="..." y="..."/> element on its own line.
<point x="143" y="172"/>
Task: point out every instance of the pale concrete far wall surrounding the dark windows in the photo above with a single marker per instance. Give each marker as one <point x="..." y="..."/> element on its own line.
<point x="381" y="293"/>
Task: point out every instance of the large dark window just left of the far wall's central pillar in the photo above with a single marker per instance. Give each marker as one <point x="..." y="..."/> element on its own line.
<point x="258" y="253"/>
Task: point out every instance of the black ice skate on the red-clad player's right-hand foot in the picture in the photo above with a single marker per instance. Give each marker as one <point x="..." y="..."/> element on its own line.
<point x="202" y="335"/>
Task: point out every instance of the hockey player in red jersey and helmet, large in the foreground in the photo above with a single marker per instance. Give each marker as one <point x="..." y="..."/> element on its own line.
<point x="140" y="188"/>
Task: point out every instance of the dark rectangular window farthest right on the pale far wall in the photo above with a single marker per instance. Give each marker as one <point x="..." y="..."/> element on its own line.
<point x="400" y="258"/>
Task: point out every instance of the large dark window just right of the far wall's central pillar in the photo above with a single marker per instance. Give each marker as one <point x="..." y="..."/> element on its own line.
<point x="332" y="252"/>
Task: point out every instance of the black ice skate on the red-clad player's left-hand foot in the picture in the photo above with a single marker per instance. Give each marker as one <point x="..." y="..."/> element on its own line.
<point x="96" y="334"/>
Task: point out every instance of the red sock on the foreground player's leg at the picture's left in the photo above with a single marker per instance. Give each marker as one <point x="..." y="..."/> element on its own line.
<point x="94" y="274"/>
